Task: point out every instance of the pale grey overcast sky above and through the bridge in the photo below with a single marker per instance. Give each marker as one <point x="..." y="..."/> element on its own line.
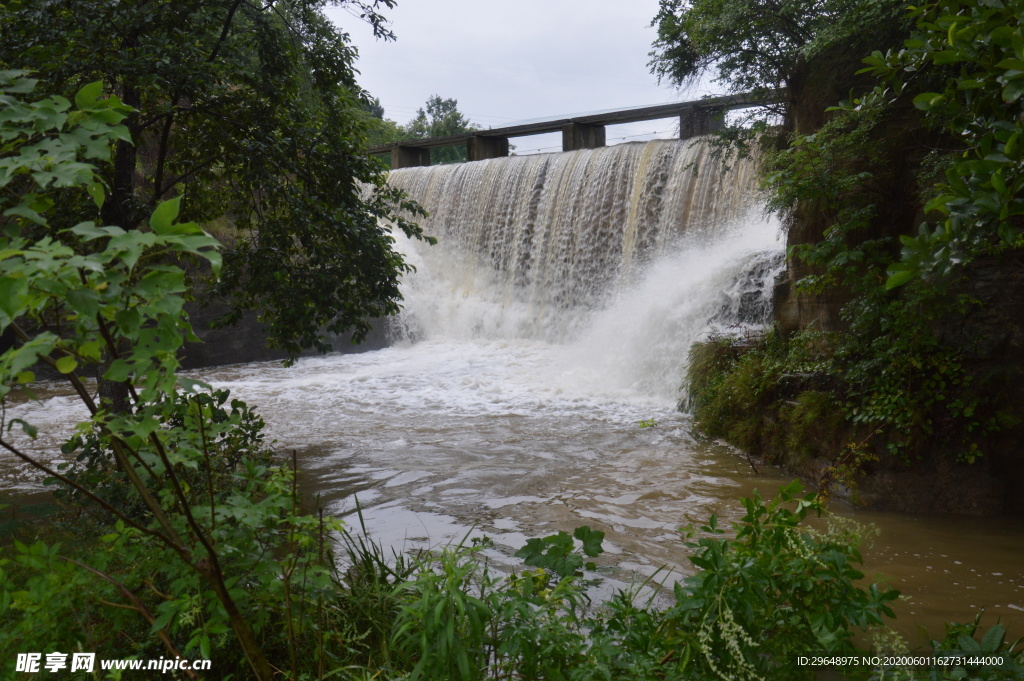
<point x="508" y="61"/>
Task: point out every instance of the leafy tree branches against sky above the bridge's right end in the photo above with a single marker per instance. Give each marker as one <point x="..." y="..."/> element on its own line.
<point x="762" y="46"/>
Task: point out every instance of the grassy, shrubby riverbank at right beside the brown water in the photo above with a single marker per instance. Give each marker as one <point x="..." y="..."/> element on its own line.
<point x="791" y="401"/>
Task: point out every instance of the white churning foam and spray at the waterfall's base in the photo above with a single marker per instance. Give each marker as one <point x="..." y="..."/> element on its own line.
<point x="632" y="349"/>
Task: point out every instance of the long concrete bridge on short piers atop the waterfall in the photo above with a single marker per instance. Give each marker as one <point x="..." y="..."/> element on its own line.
<point x="587" y="132"/>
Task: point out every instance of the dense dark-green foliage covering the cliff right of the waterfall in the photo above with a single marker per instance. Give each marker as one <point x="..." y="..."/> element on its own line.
<point x="894" y="196"/>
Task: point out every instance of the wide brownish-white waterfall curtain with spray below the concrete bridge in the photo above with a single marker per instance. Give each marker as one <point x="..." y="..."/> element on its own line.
<point x="623" y="256"/>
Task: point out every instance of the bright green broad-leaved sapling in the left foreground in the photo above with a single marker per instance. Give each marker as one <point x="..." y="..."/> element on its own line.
<point x="70" y="296"/>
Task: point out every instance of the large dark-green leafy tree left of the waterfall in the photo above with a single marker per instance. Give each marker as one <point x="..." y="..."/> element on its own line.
<point x="251" y="115"/>
